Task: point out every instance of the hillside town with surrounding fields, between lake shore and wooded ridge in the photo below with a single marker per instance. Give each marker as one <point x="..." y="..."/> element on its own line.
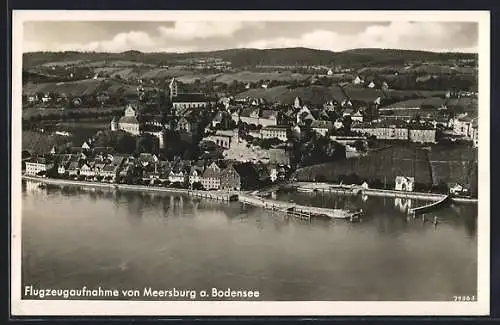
<point x="310" y="124"/>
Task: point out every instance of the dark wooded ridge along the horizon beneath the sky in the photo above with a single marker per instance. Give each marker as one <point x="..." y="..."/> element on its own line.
<point x="253" y="57"/>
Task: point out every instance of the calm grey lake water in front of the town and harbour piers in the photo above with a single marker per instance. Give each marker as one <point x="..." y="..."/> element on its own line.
<point x="127" y="240"/>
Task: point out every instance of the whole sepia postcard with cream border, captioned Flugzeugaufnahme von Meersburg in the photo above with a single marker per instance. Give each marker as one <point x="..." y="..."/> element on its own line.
<point x="250" y="163"/>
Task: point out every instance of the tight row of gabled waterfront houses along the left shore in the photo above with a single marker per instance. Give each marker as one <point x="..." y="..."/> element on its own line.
<point x="103" y="165"/>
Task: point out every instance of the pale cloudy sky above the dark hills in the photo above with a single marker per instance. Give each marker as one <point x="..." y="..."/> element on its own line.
<point x="187" y="36"/>
